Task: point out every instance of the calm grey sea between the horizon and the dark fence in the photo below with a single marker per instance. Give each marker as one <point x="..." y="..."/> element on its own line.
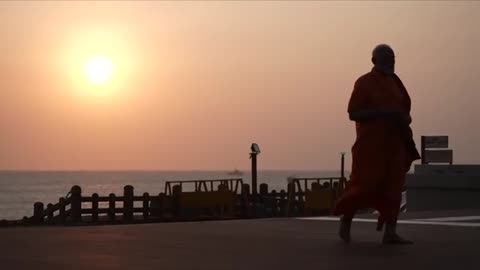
<point x="20" y="190"/>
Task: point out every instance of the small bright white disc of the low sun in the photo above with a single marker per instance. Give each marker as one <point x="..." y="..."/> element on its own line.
<point x="99" y="69"/>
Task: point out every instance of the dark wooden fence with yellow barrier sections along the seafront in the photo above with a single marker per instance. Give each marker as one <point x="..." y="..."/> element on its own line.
<point x="210" y="199"/>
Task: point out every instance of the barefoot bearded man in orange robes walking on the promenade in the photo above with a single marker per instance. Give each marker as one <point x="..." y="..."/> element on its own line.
<point x="384" y="148"/>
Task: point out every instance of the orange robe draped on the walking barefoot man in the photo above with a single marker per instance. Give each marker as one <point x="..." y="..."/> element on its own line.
<point x="383" y="150"/>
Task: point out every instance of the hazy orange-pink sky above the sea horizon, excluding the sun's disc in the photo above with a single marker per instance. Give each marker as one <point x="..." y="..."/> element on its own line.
<point x="195" y="83"/>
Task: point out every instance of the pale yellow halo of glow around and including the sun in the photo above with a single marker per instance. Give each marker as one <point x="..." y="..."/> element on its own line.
<point x="99" y="64"/>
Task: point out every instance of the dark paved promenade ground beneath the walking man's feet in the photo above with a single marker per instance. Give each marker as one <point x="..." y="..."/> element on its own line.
<point x="441" y="242"/>
